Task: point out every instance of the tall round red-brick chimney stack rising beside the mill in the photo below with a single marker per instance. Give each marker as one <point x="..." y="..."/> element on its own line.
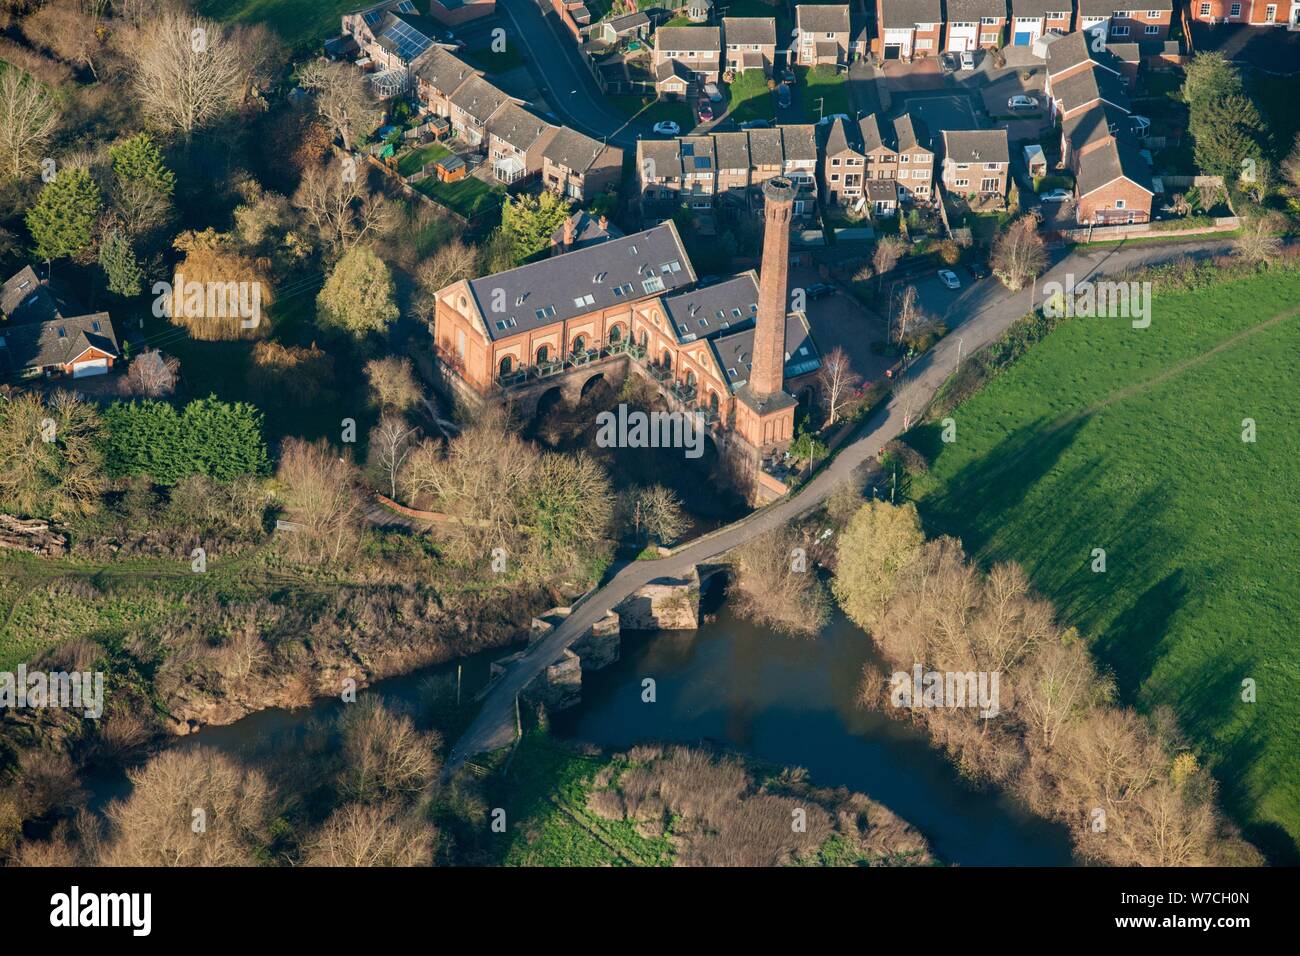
<point x="768" y="375"/>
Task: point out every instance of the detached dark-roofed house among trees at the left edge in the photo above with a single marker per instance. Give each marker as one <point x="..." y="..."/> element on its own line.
<point x="45" y="334"/>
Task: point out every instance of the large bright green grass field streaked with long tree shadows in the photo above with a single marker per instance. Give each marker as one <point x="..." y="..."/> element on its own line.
<point x="1106" y="436"/>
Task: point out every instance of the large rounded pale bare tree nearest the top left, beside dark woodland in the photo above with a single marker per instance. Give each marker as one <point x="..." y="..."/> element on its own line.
<point x="189" y="72"/>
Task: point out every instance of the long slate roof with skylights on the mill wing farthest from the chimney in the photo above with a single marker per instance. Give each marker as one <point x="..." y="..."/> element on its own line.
<point x="553" y="291"/>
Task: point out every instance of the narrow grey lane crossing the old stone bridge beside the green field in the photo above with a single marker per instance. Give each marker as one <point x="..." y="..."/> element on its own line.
<point x="986" y="312"/>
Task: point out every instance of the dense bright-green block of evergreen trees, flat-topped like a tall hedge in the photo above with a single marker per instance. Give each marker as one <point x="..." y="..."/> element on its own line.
<point x="209" y="438"/>
